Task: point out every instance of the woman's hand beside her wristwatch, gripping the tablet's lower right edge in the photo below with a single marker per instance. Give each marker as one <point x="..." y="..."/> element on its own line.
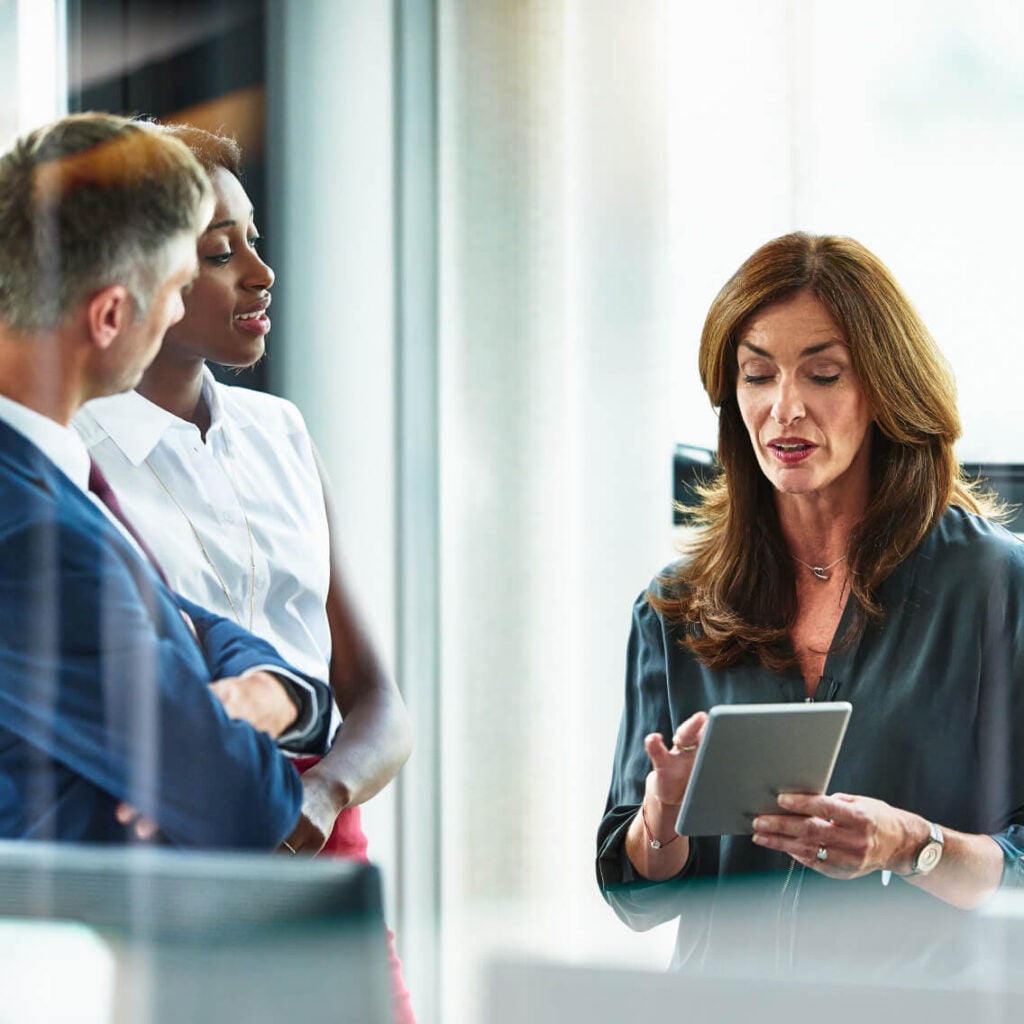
<point x="858" y="835"/>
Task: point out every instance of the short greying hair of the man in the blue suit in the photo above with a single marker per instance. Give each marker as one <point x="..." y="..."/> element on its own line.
<point x="91" y="201"/>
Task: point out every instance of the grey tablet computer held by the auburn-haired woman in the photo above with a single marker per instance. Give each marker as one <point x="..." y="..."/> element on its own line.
<point x="752" y="753"/>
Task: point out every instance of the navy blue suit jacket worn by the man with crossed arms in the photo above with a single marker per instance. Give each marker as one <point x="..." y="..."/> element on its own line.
<point x="104" y="690"/>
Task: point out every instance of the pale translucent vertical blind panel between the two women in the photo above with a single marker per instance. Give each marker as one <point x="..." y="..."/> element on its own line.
<point x="556" y="490"/>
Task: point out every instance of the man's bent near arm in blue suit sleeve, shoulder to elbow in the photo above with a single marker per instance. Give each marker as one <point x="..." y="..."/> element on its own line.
<point x="102" y="676"/>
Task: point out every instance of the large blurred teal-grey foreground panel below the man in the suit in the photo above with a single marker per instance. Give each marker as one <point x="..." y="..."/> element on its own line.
<point x="214" y="937"/>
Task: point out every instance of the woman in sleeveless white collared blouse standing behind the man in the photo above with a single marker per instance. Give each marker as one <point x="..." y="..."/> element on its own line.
<point x="225" y="486"/>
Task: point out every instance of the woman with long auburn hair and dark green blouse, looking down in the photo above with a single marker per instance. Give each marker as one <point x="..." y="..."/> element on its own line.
<point x="839" y="556"/>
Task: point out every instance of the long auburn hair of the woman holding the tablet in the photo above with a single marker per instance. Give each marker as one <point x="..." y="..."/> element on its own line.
<point x="736" y="594"/>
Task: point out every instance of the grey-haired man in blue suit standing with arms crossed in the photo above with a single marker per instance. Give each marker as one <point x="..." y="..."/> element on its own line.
<point x="106" y="696"/>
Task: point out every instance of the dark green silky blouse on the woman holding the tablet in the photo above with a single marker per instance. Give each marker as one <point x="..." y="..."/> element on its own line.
<point x="937" y="729"/>
